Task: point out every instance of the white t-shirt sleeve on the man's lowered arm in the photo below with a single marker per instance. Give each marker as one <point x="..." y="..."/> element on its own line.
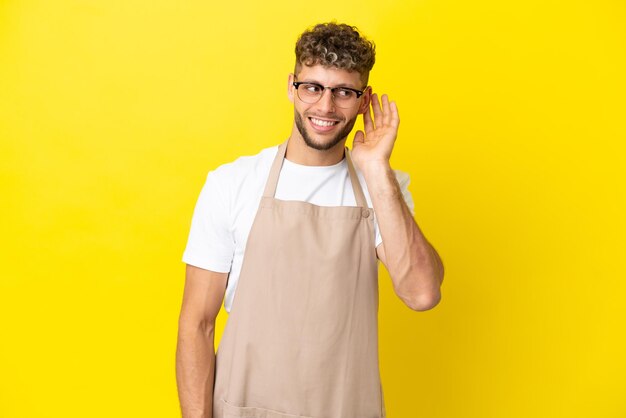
<point x="210" y="245"/>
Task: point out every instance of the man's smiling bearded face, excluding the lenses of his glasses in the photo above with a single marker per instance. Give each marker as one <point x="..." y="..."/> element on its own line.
<point x="323" y="125"/>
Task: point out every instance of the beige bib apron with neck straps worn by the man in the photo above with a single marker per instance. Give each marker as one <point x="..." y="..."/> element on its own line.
<point x="301" y="339"/>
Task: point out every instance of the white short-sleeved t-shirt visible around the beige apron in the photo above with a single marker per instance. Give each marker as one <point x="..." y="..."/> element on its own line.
<point x="229" y="200"/>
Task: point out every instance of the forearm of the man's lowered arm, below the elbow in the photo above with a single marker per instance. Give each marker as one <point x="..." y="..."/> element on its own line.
<point x="195" y="371"/>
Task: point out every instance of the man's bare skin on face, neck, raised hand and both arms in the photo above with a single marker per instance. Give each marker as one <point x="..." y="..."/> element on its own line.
<point x="415" y="267"/>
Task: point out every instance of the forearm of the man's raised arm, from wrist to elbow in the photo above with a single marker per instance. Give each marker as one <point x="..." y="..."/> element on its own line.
<point x="413" y="264"/>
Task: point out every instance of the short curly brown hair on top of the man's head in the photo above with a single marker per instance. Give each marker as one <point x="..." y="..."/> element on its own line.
<point x="336" y="45"/>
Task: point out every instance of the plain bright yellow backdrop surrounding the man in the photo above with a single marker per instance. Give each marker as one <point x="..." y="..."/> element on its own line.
<point x="112" y="113"/>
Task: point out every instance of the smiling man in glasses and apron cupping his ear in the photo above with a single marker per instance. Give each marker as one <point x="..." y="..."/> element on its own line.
<point x="292" y="231"/>
